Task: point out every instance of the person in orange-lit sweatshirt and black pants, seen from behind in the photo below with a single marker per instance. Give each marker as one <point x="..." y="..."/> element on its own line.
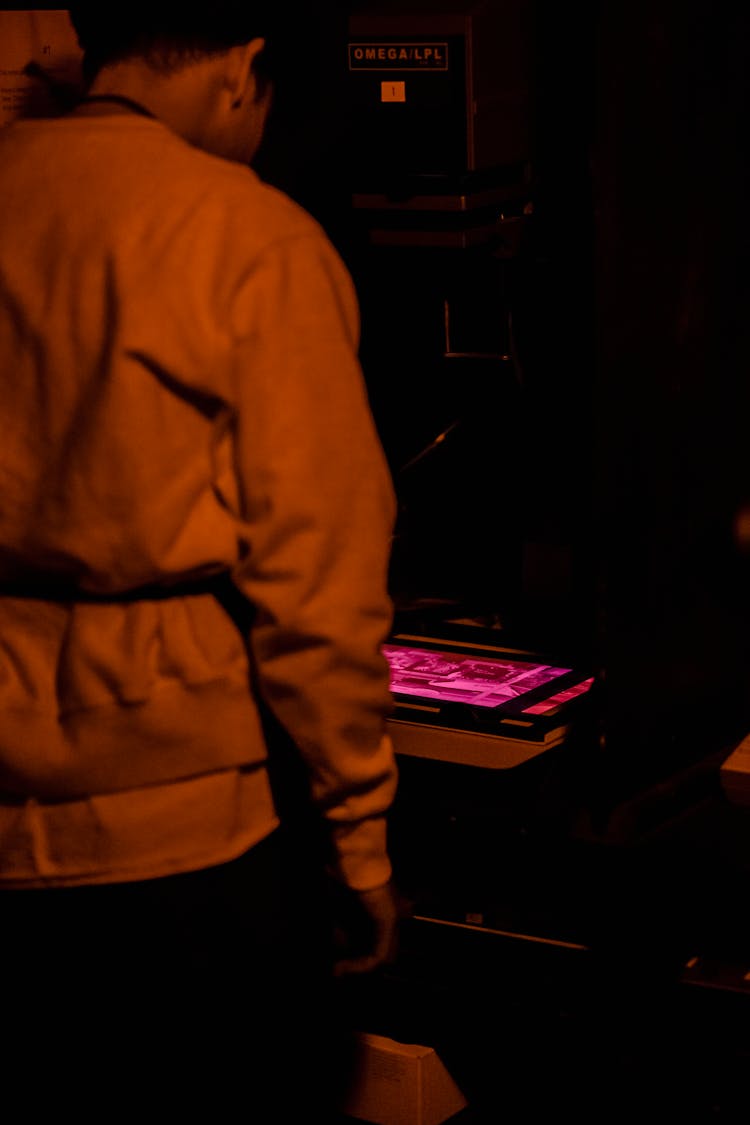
<point x="196" y="518"/>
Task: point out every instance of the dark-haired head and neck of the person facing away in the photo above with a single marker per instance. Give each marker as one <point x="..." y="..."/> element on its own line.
<point x="206" y="71"/>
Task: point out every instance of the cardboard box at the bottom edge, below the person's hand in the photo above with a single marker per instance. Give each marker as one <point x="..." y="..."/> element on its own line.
<point x="403" y="1084"/>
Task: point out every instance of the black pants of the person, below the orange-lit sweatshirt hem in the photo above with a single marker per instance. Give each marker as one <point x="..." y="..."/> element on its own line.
<point x="206" y="994"/>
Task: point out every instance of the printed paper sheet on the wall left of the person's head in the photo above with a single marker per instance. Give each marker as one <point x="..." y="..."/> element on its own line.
<point x="40" y="64"/>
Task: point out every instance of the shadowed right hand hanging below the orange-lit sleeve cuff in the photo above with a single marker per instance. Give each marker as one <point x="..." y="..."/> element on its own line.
<point x="368" y="935"/>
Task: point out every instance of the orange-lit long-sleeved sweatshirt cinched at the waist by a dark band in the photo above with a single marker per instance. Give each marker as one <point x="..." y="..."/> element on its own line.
<point x="180" y="399"/>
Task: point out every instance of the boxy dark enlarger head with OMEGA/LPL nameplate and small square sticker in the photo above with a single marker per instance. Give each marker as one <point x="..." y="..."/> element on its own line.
<point x="441" y="119"/>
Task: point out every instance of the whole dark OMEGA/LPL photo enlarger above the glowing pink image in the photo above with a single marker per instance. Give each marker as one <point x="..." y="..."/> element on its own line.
<point x="439" y="164"/>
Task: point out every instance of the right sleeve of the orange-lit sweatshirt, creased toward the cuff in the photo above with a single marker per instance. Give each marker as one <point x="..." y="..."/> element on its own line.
<point x="318" y="512"/>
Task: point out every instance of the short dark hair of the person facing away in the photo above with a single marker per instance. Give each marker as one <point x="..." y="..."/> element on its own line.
<point x="169" y="37"/>
